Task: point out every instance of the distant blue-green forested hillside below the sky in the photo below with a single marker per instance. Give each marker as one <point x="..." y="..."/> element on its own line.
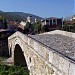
<point x="17" y="16"/>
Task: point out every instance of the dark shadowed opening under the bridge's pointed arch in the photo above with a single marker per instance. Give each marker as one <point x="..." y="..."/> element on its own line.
<point x="19" y="58"/>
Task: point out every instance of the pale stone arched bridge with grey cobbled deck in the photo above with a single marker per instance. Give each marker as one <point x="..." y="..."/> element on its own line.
<point x="51" y="53"/>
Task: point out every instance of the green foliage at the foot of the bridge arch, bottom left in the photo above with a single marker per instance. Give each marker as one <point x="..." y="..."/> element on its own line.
<point x="13" y="70"/>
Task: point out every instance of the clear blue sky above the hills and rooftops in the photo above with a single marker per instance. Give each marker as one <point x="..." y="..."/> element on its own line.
<point x="42" y="8"/>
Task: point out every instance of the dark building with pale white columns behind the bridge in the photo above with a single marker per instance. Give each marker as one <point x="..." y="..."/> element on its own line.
<point x="53" y="22"/>
